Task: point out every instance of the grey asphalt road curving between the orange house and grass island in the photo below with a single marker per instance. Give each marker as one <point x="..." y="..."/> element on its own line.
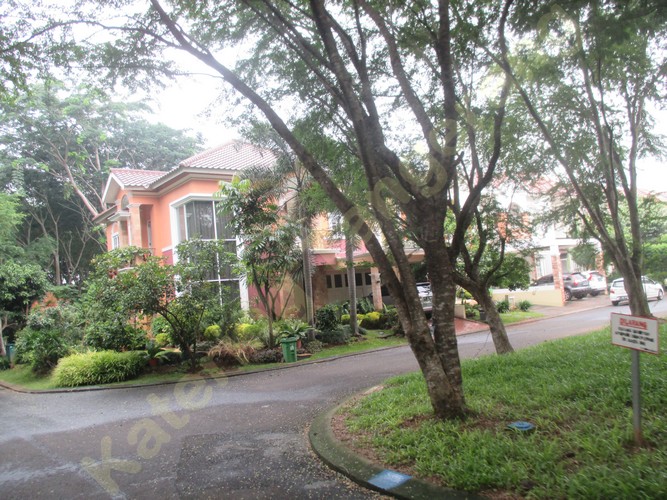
<point x="238" y="437"/>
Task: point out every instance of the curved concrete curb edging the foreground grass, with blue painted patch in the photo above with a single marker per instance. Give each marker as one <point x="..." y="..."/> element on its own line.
<point x="367" y="474"/>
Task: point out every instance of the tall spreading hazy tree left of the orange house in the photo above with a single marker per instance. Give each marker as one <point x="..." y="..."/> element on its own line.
<point x="56" y="149"/>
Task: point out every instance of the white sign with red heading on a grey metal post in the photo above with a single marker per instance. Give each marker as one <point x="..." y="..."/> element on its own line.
<point x="641" y="335"/>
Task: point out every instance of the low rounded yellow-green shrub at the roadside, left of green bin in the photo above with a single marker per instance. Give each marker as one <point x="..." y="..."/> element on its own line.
<point x="101" y="367"/>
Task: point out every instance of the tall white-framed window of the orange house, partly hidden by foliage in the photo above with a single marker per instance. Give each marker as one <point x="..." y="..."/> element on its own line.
<point x="200" y="219"/>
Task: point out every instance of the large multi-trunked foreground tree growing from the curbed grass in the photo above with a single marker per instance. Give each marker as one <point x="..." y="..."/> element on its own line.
<point x="386" y="74"/>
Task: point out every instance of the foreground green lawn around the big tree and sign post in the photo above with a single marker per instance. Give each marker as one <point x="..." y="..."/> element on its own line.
<point x="577" y="393"/>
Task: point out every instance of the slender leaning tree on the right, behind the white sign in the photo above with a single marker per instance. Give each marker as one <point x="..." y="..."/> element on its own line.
<point x="588" y="73"/>
